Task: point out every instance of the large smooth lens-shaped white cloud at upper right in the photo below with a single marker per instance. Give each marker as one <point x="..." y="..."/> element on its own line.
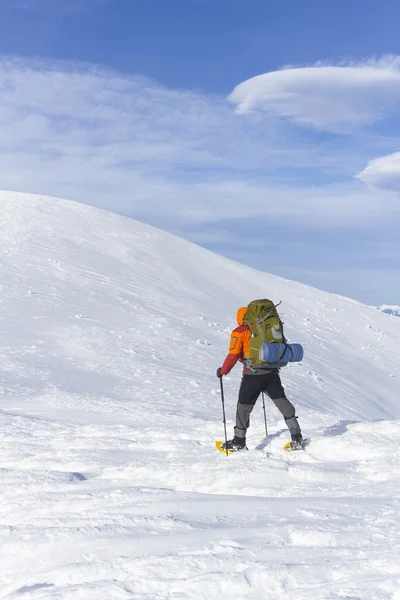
<point x="337" y="98"/>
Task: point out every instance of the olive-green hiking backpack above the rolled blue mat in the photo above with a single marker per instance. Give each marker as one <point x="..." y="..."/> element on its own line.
<point x="265" y="325"/>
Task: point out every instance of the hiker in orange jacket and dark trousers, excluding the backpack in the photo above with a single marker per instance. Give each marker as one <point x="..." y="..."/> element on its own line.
<point x="257" y="379"/>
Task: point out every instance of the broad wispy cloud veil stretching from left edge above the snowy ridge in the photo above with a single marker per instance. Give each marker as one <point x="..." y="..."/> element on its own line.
<point x="130" y="145"/>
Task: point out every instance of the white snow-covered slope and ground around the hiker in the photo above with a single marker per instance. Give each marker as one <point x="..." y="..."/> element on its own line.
<point x="111" y="487"/>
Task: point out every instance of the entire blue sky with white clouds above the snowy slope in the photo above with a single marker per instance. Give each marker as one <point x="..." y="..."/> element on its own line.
<point x="268" y="132"/>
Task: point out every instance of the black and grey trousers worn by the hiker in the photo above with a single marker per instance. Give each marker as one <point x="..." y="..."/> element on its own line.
<point x="250" y="389"/>
